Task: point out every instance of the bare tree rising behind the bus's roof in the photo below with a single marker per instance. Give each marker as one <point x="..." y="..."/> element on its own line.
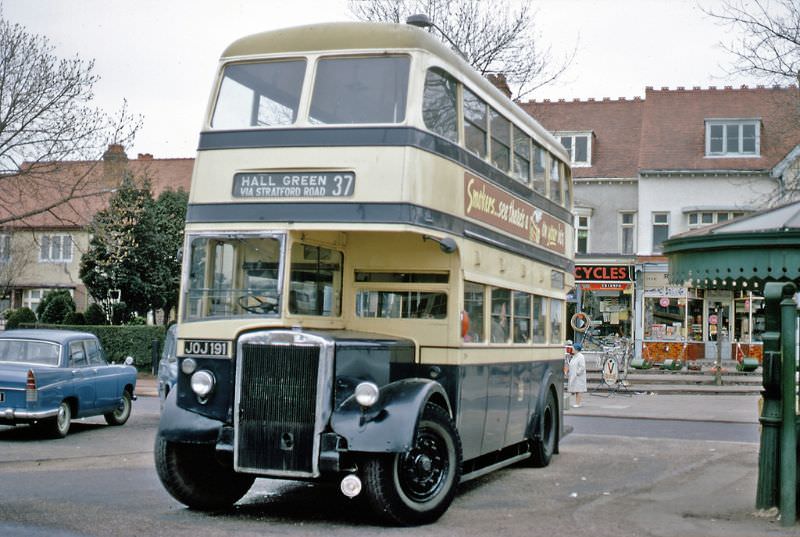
<point x="494" y="38"/>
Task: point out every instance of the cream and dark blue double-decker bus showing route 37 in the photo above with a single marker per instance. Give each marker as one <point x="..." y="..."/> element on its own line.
<point x="378" y="251"/>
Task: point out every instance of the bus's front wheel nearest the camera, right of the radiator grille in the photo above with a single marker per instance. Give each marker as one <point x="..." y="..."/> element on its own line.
<point x="417" y="487"/>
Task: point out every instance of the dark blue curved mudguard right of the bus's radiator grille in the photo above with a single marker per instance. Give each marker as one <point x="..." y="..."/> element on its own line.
<point x="388" y="426"/>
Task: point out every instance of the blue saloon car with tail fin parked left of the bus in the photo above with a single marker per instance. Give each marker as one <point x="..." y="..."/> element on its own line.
<point x="48" y="377"/>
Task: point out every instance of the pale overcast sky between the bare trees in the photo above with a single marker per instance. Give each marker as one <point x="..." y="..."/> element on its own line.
<point x="160" y="56"/>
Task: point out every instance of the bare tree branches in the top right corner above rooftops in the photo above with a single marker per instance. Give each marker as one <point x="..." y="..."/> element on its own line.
<point x="767" y="42"/>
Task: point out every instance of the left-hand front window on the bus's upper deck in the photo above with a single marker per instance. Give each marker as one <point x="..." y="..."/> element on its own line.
<point x="263" y="94"/>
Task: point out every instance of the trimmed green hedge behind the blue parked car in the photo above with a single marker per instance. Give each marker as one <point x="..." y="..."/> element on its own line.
<point x="120" y="341"/>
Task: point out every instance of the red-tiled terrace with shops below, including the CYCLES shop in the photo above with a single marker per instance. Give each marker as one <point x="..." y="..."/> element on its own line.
<point x="647" y="169"/>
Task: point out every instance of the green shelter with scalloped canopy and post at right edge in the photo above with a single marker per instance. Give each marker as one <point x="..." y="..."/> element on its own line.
<point x="759" y="251"/>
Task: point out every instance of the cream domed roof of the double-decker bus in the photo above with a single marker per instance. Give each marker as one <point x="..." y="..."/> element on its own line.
<point x="380" y="36"/>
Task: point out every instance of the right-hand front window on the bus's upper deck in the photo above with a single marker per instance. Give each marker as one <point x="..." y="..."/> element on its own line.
<point x="360" y="90"/>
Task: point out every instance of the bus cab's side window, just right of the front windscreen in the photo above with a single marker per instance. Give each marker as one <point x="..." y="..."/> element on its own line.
<point x="315" y="286"/>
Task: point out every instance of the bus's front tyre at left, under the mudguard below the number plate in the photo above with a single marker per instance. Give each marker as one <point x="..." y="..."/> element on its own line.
<point x="193" y="476"/>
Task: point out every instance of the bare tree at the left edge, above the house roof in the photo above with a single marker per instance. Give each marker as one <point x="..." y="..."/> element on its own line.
<point x="47" y="117"/>
